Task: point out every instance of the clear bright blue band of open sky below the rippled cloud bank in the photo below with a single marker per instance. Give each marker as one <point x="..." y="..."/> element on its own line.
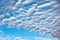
<point x="12" y="33"/>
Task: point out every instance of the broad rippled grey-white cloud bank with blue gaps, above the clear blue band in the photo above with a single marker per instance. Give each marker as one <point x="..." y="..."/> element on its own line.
<point x="35" y="16"/>
